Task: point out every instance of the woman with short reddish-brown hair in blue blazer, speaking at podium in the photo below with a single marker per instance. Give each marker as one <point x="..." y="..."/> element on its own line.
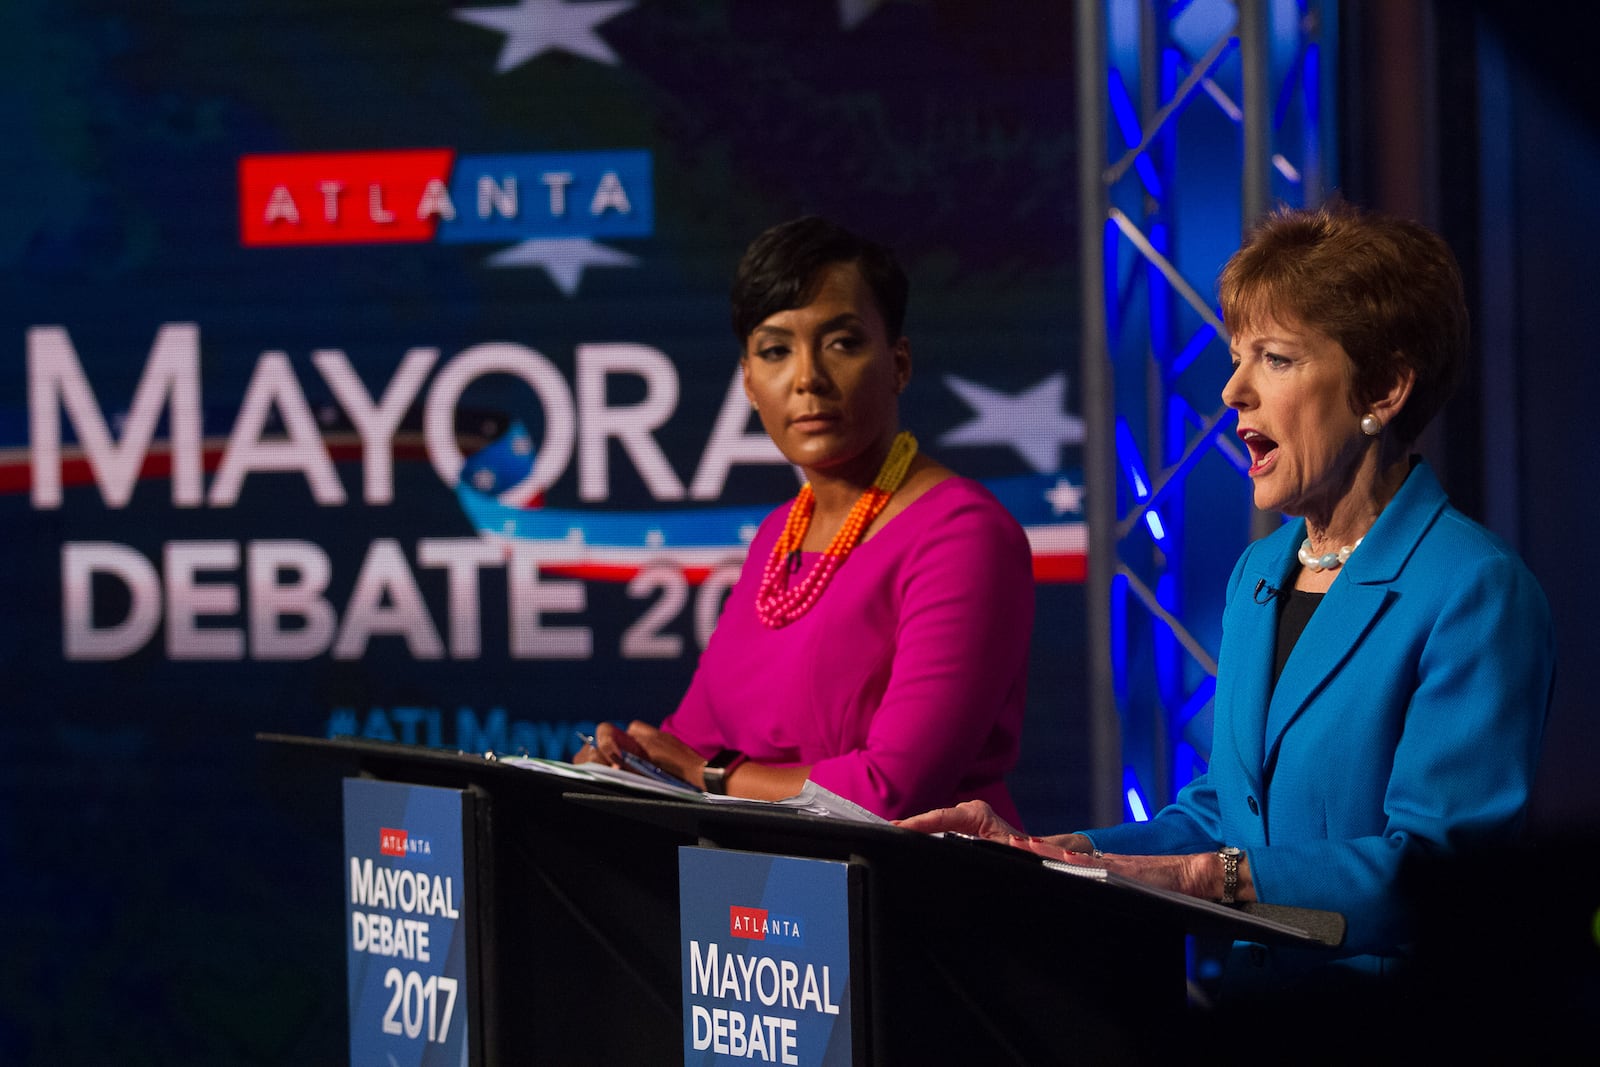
<point x="1386" y="663"/>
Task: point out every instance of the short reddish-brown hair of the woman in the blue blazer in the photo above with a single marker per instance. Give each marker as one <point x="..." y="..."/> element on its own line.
<point x="1386" y="289"/>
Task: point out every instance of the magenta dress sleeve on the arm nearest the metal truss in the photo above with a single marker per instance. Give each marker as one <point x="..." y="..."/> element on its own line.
<point x="951" y="717"/>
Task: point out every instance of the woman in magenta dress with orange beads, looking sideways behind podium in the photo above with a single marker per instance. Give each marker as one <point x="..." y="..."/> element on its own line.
<point x="876" y="641"/>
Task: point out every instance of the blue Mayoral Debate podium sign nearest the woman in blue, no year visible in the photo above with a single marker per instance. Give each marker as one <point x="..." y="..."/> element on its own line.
<point x="767" y="959"/>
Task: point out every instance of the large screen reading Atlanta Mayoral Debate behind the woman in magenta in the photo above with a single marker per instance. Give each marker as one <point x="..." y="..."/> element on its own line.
<point x="369" y="372"/>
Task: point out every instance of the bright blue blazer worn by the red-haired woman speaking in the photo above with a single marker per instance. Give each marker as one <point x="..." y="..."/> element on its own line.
<point x="1407" y="719"/>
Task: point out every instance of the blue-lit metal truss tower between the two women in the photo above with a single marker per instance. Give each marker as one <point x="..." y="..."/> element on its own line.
<point x="1196" y="118"/>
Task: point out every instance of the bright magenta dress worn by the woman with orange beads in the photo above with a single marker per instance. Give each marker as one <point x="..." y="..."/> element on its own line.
<point x="905" y="684"/>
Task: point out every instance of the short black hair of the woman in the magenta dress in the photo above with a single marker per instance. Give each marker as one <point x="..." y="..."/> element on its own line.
<point x="783" y="266"/>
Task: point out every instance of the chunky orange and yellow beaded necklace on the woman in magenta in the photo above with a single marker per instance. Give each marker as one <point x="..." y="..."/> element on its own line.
<point x="778" y="604"/>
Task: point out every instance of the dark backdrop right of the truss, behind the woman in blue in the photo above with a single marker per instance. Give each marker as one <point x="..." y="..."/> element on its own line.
<point x="1486" y="119"/>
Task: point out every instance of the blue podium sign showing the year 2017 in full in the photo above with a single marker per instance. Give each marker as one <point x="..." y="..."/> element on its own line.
<point x="409" y="925"/>
